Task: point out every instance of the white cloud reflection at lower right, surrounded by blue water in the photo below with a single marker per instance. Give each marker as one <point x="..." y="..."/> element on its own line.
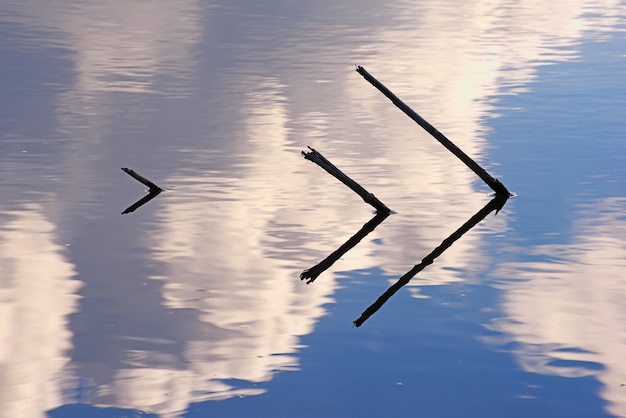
<point x="566" y="313"/>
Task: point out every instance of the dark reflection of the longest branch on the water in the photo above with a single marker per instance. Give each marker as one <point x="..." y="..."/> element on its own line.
<point x="494" y="205"/>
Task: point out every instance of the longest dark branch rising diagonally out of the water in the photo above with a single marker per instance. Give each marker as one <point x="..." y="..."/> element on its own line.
<point x="495" y="184"/>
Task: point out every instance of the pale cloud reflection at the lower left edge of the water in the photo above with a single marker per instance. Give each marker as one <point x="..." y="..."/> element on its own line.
<point x="37" y="293"/>
